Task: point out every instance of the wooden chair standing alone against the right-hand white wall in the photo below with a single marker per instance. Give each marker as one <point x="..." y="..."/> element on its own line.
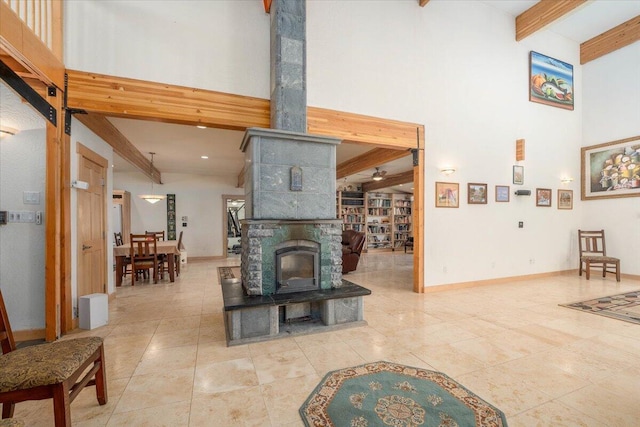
<point x="593" y="253"/>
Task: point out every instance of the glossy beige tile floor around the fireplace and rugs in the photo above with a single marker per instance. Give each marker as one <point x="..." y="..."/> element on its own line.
<point x="543" y="365"/>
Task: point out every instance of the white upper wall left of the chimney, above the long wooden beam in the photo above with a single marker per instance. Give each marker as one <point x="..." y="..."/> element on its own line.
<point x="217" y="45"/>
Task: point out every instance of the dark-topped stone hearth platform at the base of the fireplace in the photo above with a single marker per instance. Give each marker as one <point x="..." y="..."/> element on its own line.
<point x="251" y="319"/>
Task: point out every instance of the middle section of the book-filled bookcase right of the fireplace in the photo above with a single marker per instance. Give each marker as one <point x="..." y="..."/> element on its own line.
<point x="379" y="220"/>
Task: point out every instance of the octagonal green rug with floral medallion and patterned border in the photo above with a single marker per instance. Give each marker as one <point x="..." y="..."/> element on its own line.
<point x="388" y="394"/>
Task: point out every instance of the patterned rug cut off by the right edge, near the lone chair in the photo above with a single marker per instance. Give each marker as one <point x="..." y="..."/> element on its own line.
<point x="622" y="306"/>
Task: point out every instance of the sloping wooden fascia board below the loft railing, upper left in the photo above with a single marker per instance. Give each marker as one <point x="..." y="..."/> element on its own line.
<point x="19" y="41"/>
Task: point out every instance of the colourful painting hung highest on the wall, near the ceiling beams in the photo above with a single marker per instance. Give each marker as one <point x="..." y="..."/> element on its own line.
<point x="550" y="81"/>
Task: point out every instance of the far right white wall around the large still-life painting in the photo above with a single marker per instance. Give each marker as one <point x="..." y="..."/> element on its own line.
<point x="612" y="112"/>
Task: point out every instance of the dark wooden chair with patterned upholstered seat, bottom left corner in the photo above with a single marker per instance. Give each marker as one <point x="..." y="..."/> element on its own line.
<point x="49" y="371"/>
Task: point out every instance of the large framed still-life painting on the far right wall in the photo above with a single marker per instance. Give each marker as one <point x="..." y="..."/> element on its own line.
<point x="611" y="169"/>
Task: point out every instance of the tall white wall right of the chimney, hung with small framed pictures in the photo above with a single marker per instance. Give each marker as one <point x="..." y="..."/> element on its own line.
<point x="456" y="67"/>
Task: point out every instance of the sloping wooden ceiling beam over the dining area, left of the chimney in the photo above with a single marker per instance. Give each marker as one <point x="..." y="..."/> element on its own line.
<point x="121" y="145"/>
